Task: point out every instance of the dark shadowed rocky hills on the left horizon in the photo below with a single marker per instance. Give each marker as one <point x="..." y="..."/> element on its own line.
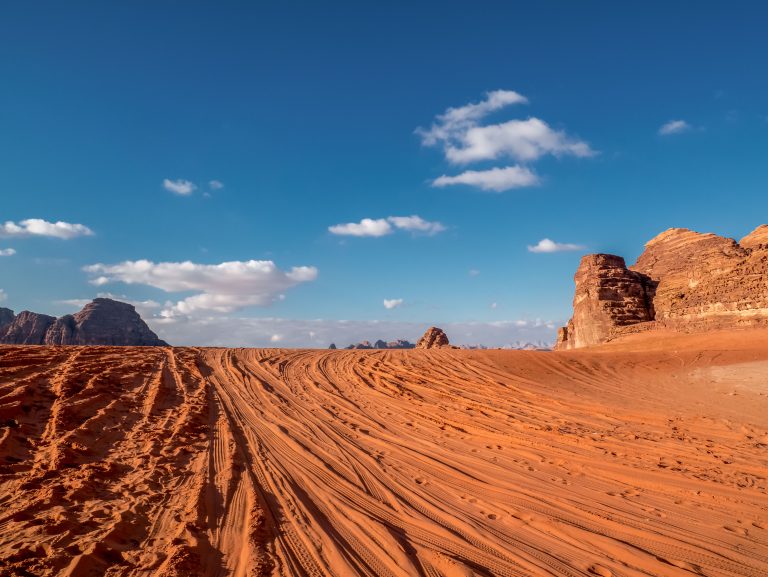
<point x="100" y="322"/>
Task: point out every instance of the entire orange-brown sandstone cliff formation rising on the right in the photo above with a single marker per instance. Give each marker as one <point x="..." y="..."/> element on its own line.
<point x="684" y="280"/>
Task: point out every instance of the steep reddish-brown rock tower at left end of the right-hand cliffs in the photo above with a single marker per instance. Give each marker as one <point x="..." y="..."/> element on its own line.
<point x="608" y="295"/>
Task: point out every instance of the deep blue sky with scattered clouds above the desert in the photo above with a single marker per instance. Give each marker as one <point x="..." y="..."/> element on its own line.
<point x="310" y="117"/>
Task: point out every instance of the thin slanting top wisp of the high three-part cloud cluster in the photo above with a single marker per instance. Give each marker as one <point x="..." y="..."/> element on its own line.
<point x="455" y="121"/>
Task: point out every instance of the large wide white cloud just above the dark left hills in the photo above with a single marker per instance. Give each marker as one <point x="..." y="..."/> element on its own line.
<point x="221" y="288"/>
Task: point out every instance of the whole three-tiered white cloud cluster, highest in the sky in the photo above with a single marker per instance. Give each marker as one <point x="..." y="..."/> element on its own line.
<point x="464" y="140"/>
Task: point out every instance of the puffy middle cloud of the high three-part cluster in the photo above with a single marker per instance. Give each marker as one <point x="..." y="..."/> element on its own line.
<point x="522" y="140"/>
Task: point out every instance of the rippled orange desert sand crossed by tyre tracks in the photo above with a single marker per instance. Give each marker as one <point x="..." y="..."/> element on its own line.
<point x="647" y="456"/>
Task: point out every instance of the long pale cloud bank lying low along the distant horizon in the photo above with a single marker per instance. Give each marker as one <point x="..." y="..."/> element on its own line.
<point x="233" y="331"/>
